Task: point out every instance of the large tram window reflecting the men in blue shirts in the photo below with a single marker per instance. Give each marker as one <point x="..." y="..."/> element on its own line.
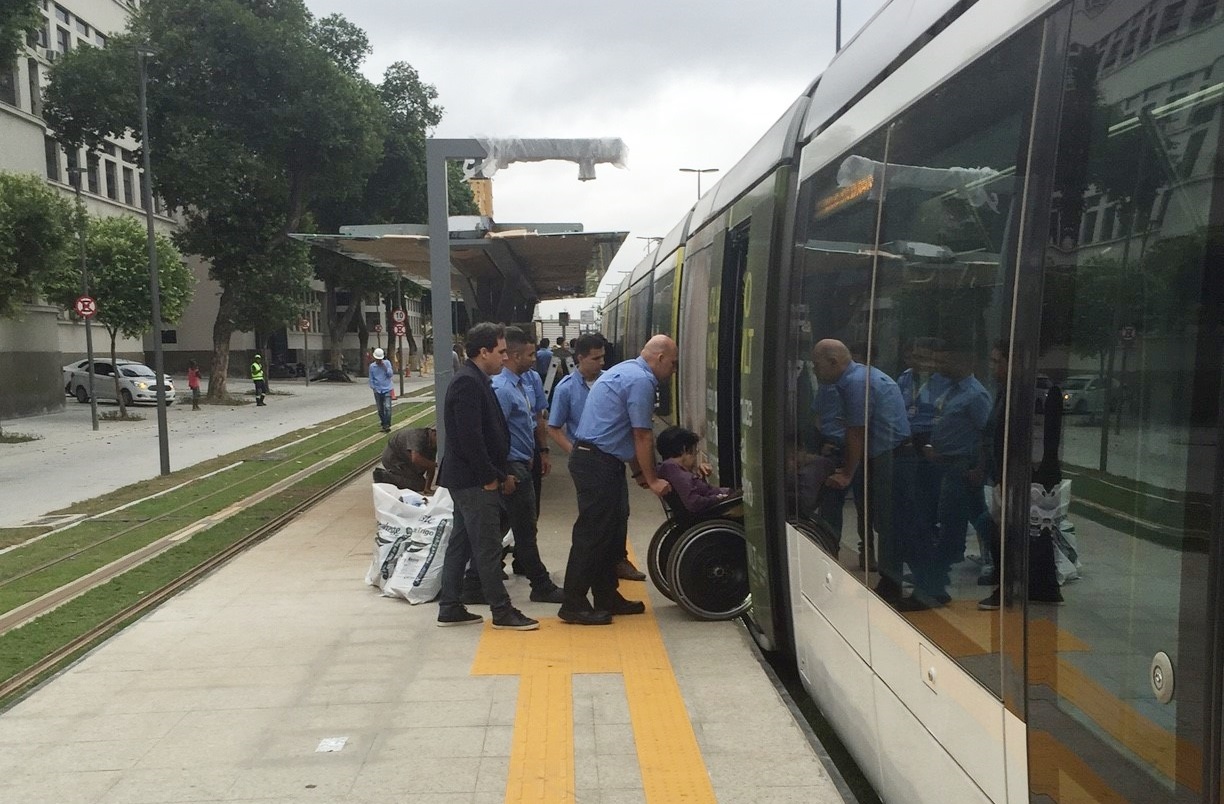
<point x="901" y="261"/>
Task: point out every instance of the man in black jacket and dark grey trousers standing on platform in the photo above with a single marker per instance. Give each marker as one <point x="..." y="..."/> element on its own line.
<point x="476" y="472"/>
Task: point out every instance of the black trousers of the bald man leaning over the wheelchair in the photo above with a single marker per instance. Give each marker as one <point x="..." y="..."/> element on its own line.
<point x="600" y="530"/>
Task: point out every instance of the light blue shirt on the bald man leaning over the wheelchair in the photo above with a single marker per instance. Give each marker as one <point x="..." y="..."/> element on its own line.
<point x="622" y="401"/>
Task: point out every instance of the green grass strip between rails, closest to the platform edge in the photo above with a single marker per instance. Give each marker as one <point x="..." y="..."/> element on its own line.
<point x="26" y="646"/>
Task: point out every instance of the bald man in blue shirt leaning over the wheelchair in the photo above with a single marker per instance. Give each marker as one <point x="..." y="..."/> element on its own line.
<point x="616" y="429"/>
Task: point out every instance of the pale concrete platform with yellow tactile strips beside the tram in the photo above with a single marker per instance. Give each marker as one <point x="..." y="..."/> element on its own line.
<point x="227" y="693"/>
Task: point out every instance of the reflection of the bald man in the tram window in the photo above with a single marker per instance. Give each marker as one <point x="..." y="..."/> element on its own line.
<point x="877" y="434"/>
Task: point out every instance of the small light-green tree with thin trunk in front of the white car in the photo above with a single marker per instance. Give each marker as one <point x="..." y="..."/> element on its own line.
<point x="117" y="255"/>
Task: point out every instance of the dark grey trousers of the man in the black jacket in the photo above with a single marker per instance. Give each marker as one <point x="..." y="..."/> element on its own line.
<point x="477" y="538"/>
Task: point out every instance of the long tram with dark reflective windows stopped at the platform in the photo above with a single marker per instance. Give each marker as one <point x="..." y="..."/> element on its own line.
<point x="997" y="205"/>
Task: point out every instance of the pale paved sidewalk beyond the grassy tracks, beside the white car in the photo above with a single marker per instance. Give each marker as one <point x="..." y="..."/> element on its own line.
<point x="70" y="462"/>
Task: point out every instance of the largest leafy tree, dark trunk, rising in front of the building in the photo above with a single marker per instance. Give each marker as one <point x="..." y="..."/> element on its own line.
<point x="252" y="119"/>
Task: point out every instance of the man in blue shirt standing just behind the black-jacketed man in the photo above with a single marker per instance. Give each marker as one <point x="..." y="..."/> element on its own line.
<point x="516" y="395"/>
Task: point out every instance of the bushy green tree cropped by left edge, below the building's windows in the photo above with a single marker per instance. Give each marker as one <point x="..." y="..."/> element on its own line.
<point x="36" y="234"/>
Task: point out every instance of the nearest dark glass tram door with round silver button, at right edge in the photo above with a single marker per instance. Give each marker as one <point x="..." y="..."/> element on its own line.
<point x="1123" y="621"/>
